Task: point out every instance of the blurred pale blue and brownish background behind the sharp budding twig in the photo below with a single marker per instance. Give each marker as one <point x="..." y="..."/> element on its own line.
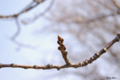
<point x="86" y="26"/>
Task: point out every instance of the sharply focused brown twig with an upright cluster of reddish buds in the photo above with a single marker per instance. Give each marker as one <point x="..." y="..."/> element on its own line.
<point x="62" y="49"/>
